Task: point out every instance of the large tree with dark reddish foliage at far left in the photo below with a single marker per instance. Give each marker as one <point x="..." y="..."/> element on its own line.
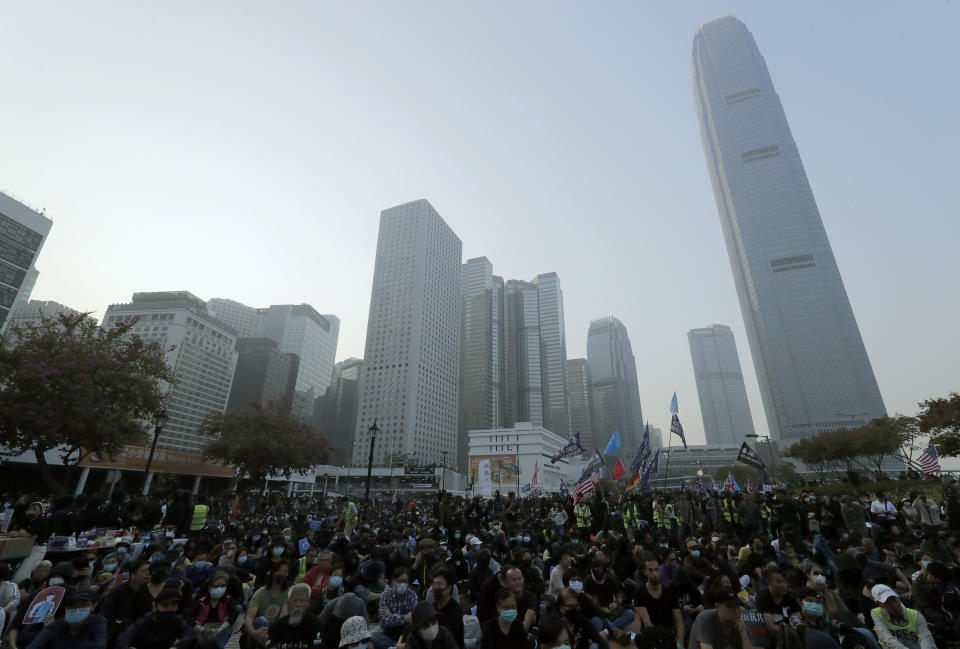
<point x="68" y="385"/>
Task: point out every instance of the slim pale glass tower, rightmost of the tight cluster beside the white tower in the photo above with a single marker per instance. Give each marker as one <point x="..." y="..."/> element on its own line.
<point x="553" y="354"/>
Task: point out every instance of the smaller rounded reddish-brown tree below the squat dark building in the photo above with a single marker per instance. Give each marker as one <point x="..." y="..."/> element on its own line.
<point x="266" y="441"/>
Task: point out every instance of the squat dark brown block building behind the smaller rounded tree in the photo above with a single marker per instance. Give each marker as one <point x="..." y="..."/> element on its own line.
<point x="263" y="374"/>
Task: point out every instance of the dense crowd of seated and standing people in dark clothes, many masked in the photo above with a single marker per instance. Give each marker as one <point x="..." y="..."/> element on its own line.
<point x="776" y="570"/>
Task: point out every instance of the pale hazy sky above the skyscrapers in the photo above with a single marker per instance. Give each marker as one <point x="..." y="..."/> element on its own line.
<point x="245" y="150"/>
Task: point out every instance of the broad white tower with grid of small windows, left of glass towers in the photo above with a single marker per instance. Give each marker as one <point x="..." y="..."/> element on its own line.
<point x="411" y="366"/>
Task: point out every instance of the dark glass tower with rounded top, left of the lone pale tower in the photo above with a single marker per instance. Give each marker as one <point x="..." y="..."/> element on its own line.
<point x="616" y="392"/>
